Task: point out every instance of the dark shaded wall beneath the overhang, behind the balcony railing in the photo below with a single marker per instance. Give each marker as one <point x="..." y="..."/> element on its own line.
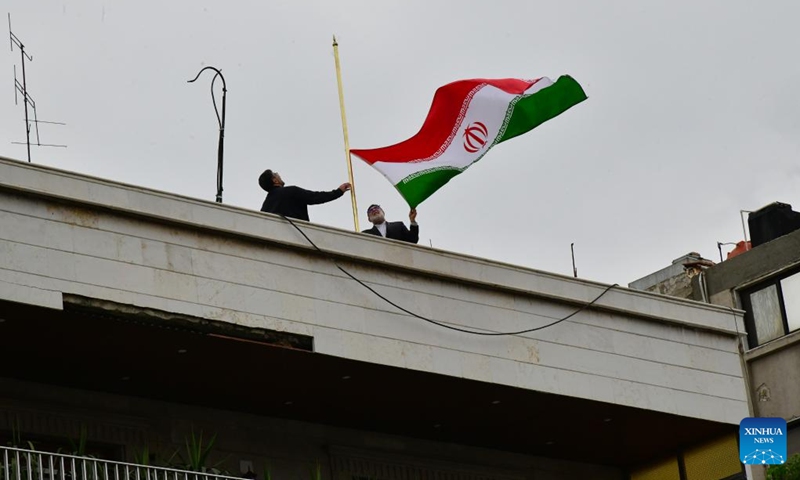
<point x="290" y="448"/>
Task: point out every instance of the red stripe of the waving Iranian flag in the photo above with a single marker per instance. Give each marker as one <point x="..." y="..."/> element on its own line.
<point x="441" y="120"/>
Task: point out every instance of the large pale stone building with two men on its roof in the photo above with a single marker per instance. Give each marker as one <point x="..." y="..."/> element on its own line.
<point x="130" y="318"/>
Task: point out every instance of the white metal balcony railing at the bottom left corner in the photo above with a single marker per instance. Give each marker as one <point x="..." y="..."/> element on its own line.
<point x="22" y="464"/>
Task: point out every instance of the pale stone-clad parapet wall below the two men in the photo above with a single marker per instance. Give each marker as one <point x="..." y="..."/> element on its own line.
<point x="65" y="234"/>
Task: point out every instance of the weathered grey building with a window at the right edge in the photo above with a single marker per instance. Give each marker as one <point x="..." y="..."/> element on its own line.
<point x="762" y="277"/>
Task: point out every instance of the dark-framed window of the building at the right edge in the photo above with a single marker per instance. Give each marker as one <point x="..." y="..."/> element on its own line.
<point x="773" y="309"/>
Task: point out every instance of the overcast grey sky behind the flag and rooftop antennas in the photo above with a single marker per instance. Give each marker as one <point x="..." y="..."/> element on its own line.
<point x="693" y="113"/>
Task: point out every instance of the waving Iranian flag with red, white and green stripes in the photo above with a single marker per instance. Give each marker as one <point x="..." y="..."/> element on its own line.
<point x="466" y="119"/>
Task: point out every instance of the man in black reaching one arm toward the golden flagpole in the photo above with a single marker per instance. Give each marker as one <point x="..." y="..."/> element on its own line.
<point x="293" y="201"/>
